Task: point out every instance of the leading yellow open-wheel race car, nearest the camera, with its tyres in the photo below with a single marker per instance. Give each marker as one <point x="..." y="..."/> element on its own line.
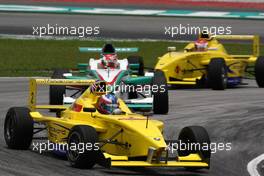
<point x="124" y="139"/>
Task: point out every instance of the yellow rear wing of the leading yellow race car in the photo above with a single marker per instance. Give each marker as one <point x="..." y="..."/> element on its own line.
<point x="33" y="85"/>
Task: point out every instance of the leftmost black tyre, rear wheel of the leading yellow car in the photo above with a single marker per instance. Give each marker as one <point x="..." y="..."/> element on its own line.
<point x="18" y="128"/>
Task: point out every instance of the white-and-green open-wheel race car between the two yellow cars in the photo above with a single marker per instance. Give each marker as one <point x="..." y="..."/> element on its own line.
<point x="141" y="91"/>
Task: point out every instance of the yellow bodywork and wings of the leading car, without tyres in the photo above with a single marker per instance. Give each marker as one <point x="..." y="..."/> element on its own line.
<point x="136" y="132"/>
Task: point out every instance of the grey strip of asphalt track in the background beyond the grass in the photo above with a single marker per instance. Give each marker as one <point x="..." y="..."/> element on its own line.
<point x="123" y="26"/>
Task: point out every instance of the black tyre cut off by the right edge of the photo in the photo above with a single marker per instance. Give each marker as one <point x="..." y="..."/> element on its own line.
<point x="259" y="71"/>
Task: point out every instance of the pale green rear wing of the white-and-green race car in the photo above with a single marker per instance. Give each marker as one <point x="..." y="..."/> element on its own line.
<point x="96" y="50"/>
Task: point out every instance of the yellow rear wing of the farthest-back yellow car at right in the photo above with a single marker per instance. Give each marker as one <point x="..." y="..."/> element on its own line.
<point x="254" y="38"/>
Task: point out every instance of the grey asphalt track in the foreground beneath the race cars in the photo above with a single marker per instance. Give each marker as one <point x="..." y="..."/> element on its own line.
<point x="234" y="115"/>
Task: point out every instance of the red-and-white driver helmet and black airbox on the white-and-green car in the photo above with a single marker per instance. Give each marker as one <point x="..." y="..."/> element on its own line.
<point x="109" y="56"/>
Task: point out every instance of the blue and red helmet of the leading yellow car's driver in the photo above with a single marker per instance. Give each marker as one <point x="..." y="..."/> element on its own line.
<point x="107" y="104"/>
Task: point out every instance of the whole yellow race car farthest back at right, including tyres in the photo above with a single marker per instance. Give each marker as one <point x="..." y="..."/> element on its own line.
<point x="206" y="63"/>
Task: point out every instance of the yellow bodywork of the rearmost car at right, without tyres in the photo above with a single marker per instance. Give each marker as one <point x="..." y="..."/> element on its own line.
<point x="188" y="66"/>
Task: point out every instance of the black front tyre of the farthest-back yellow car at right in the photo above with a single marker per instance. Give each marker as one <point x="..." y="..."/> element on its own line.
<point x="217" y="74"/>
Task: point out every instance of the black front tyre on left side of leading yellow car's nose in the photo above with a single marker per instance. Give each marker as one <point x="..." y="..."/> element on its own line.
<point x="83" y="135"/>
